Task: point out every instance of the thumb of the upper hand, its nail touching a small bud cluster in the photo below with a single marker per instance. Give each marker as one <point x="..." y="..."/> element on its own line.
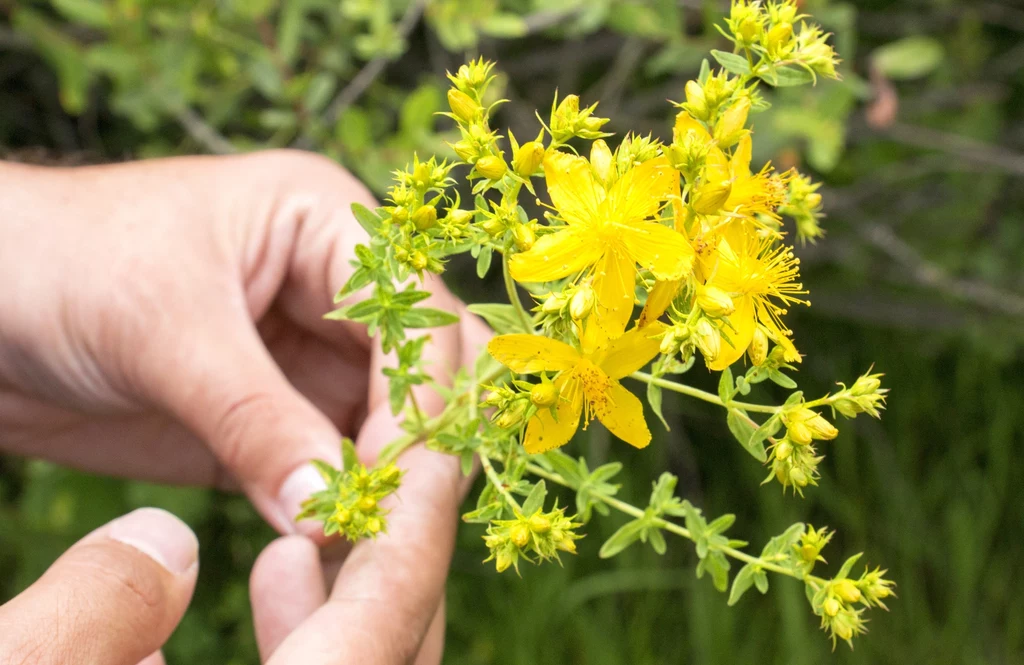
<point x="223" y="383"/>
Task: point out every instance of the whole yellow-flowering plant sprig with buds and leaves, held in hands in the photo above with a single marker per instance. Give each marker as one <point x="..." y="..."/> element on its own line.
<point x="687" y="230"/>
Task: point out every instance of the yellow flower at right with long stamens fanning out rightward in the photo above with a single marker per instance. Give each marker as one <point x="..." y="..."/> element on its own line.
<point x="761" y="280"/>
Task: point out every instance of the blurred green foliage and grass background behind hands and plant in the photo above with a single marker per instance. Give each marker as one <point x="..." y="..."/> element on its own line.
<point x="922" y="151"/>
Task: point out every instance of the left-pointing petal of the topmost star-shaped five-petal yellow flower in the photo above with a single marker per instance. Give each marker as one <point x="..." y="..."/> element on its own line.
<point x="557" y="256"/>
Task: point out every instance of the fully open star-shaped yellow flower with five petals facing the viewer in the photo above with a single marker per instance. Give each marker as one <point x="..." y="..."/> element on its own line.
<point x="608" y="233"/>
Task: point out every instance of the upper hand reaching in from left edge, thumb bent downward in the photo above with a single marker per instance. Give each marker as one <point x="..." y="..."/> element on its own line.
<point x="167" y="323"/>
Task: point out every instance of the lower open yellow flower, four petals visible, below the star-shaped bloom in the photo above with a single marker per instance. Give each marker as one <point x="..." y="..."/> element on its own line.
<point x="588" y="385"/>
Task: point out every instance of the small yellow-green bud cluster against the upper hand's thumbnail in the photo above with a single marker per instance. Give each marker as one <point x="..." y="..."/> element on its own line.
<point x="351" y="505"/>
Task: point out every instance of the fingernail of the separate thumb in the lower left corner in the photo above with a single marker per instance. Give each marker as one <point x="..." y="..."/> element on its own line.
<point x="160" y="536"/>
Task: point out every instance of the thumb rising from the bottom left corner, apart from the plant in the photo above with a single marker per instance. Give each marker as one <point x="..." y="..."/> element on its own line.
<point x="114" y="598"/>
